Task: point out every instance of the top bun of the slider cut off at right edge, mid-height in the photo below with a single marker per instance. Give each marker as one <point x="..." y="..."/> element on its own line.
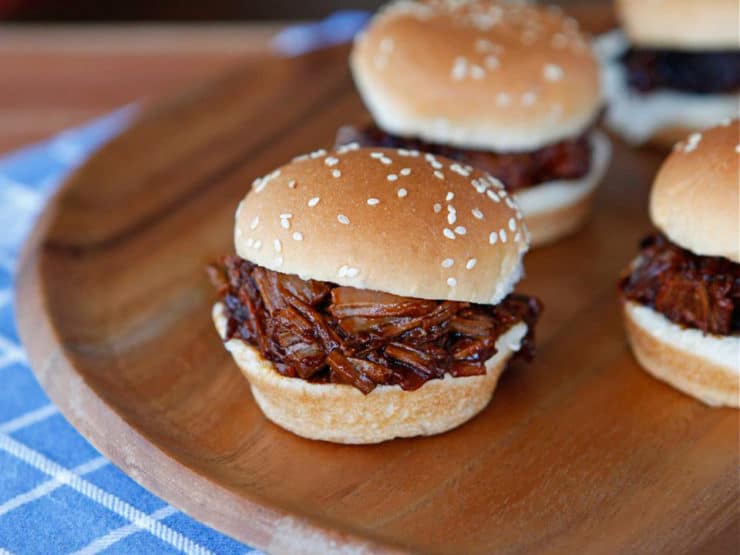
<point x="695" y="197"/>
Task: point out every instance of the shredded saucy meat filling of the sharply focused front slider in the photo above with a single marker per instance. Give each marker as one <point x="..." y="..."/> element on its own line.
<point x="326" y="333"/>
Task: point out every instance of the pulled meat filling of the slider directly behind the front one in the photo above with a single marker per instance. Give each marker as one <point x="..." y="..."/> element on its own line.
<point x="570" y="159"/>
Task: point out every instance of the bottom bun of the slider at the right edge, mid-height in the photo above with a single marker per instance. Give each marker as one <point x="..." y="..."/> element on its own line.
<point x="704" y="366"/>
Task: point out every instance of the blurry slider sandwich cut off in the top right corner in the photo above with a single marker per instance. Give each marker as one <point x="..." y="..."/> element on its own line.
<point x="675" y="68"/>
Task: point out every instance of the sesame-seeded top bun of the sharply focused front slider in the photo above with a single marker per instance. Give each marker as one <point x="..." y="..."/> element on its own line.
<point x="389" y="220"/>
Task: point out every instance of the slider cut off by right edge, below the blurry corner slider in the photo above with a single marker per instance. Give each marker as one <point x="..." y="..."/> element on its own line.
<point x="681" y="294"/>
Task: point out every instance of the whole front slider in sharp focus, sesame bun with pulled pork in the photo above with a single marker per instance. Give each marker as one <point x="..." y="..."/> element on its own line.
<point x="370" y="296"/>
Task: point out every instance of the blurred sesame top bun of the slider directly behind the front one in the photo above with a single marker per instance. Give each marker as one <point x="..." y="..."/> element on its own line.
<point x="477" y="74"/>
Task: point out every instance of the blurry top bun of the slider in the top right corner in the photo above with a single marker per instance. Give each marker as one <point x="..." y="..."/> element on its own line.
<point x="681" y="24"/>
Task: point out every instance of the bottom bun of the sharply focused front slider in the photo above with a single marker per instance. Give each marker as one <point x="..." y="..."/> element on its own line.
<point x="342" y="414"/>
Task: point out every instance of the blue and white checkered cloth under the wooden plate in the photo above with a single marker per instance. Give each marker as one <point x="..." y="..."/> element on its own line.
<point x="57" y="493"/>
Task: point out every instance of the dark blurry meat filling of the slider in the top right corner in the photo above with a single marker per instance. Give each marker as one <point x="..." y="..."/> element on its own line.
<point x="713" y="72"/>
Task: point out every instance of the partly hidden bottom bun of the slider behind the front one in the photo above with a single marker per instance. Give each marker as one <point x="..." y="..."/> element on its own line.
<point x="555" y="209"/>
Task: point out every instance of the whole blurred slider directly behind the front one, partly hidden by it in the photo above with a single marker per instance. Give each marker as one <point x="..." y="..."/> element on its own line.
<point x="510" y="89"/>
